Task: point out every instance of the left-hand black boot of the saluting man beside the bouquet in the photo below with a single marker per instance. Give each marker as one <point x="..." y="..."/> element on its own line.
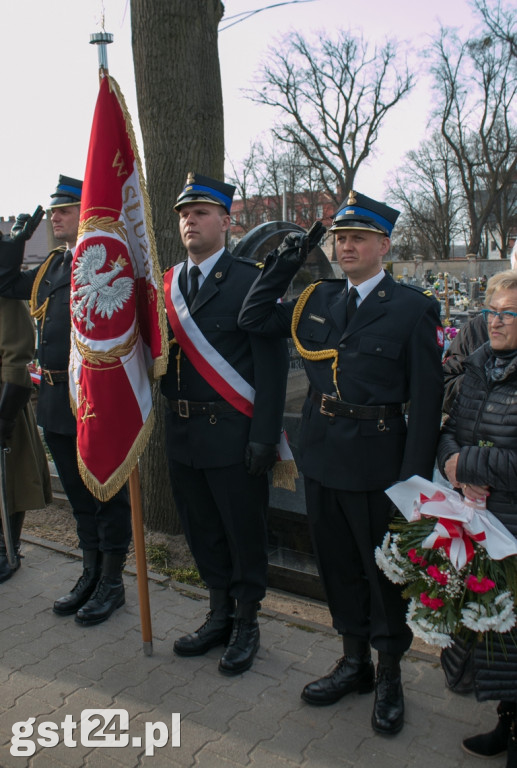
<point x="351" y="674"/>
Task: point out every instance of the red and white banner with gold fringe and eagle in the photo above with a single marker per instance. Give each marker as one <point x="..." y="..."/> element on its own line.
<point x="119" y="338"/>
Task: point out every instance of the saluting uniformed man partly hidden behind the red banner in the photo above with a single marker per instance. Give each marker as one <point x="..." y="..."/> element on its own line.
<point x="103" y="528"/>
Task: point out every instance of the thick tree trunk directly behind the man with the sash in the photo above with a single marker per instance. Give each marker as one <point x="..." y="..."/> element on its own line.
<point x="180" y="108"/>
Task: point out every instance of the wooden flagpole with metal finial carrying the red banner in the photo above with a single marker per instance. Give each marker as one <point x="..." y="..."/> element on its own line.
<point x="102" y="39"/>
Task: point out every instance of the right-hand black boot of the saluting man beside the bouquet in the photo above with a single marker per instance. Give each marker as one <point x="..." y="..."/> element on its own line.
<point x="388" y="709"/>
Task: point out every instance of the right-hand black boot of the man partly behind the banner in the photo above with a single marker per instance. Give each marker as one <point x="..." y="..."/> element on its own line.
<point x="109" y="593"/>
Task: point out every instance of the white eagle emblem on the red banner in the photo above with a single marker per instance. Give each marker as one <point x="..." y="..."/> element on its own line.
<point x="94" y="292"/>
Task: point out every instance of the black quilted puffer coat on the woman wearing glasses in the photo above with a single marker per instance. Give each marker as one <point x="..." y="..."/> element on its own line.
<point x="482" y="427"/>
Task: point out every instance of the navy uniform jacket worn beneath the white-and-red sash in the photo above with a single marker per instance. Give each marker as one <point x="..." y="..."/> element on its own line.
<point x="262" y="362"/>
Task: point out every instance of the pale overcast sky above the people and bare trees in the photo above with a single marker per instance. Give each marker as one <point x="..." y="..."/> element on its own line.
<point x="50" y="80"/>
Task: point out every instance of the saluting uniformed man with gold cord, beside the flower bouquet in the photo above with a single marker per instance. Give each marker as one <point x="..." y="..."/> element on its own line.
<point x="370" y="346"/>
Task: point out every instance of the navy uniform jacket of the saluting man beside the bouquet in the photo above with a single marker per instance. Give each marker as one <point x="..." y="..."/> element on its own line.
<point x="389" y="353"/>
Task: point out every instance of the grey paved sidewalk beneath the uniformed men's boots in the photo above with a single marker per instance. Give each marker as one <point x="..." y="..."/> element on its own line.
<point x="51" y="669"/>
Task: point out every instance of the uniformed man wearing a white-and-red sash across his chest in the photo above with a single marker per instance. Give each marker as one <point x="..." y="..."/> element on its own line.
<point x="225" y="391"/>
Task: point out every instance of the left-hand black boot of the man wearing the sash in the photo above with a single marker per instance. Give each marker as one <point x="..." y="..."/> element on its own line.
<point x="216" y="629"/>
